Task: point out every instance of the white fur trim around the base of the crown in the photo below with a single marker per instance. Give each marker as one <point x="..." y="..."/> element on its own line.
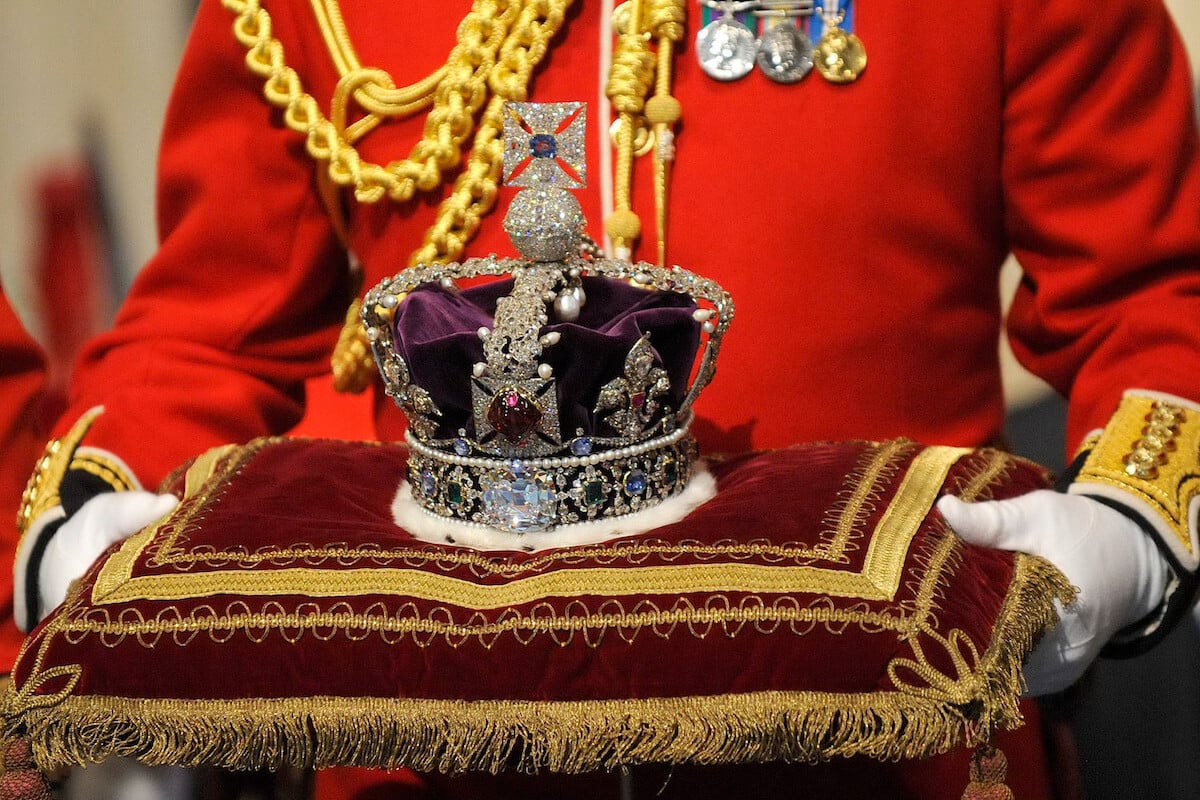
<point x="440" y="531"/>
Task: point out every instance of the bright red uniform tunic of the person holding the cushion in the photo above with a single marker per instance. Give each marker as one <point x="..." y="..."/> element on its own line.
<point x="860" y="228"/>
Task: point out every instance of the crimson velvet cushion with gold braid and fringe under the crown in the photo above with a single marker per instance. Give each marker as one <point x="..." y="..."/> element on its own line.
<point x="817" y="607"/>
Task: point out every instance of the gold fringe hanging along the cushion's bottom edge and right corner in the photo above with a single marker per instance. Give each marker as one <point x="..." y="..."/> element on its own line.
<point x="567" y="737"/>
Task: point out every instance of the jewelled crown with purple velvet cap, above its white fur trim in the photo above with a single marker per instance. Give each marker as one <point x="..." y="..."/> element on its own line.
<point x="561" y="393"/>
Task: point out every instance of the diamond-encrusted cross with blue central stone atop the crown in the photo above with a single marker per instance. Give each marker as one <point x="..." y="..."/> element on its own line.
<point x="544" y="145"/>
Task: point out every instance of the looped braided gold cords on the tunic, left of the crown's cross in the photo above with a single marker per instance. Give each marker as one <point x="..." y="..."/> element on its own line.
<point x="500" y="44"/>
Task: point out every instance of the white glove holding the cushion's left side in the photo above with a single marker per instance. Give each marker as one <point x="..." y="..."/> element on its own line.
<point x="101" y="521"/>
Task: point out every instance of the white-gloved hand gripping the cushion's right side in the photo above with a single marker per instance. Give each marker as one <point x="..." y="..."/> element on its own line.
<point x="1117" y="568"/>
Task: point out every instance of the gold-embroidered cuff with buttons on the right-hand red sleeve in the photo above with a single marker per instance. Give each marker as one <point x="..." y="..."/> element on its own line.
<point x="1149" y="459"/>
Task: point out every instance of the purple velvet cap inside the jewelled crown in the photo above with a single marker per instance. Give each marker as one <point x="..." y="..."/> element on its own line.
<point x="436" y="333"/>
